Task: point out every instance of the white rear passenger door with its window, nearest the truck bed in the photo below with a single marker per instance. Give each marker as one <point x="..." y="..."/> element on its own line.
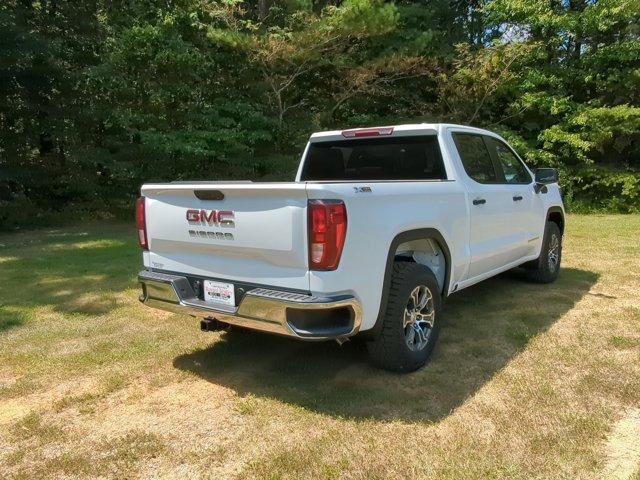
<point x="493" y="240"/>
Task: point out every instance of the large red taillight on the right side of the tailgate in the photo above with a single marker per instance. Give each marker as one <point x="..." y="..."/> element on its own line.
<point x="327" y="230"/>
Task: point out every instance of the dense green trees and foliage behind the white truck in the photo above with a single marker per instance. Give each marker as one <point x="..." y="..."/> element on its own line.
<point x="98" y="97"/>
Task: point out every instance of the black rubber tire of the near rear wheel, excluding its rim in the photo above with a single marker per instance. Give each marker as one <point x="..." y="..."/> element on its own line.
<point x="389" y="349"/>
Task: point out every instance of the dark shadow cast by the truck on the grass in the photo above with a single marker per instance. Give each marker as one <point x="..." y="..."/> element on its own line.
<point x="485" y="327"/>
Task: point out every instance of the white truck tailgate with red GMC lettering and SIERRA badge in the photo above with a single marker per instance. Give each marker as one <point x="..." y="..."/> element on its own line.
<point x="244" y="232"/>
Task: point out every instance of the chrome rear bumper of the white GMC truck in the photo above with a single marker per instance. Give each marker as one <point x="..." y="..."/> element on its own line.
<point x="293" y="314"/>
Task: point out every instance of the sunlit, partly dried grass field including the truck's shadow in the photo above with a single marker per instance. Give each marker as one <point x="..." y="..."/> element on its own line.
<point x="527" y="381"/>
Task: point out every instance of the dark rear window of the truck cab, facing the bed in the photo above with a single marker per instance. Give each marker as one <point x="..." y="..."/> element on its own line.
<point x="371" y="159"/>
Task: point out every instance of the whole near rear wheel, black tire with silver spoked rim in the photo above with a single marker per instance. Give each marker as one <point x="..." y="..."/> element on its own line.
<point x="411" y="323"/>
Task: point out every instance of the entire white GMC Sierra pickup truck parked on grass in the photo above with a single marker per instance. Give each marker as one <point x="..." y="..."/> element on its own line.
<point x="378" y="228"/>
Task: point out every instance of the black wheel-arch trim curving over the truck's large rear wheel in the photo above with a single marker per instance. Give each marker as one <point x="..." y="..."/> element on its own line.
<point x="407" y="237"/>
